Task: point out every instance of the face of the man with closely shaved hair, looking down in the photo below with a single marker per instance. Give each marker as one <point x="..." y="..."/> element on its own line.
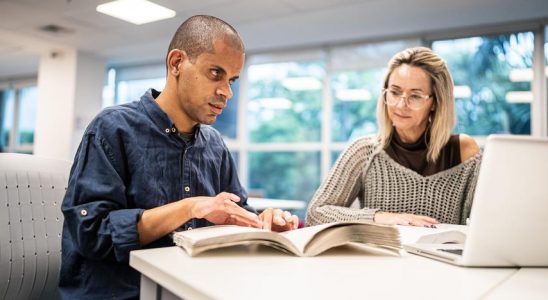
<point x="204" y="86"/>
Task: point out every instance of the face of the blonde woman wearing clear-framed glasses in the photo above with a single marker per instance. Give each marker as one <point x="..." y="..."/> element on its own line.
<point x="409" y="82"/>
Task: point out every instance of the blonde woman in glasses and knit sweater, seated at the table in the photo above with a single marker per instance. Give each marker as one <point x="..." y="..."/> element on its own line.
<point x="414" y="172"/>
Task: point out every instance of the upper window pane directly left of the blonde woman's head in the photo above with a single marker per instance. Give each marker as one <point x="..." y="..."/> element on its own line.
<point x="356" y="81"/>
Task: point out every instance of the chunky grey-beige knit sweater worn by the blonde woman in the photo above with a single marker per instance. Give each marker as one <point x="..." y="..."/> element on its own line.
<point x="367" y="172"/>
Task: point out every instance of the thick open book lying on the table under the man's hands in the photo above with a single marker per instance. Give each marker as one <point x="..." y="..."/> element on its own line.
<point x="308" y="241"/>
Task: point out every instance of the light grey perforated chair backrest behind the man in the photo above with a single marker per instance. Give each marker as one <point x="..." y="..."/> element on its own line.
<point x="31" y="222"/>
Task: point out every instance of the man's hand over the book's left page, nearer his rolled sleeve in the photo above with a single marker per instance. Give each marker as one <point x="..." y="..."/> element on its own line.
<point x="222" y="210"/>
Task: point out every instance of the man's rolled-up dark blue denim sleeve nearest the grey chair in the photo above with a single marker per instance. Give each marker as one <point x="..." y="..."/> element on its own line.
<point x="100" y="222"/>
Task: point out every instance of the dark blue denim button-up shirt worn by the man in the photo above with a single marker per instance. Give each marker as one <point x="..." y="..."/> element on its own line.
<point x="131" y="158"/>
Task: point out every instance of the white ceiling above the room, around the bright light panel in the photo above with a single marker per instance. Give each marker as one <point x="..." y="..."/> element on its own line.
<point x="264" y="25"/>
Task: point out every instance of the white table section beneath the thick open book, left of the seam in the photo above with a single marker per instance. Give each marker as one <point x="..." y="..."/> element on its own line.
<point x="241" y="273"/>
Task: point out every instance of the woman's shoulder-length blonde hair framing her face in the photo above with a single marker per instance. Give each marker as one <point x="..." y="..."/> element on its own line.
<point x="442" y="118"/>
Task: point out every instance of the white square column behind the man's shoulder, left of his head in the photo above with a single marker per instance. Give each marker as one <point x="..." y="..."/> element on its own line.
<point x="70" y="85"/>
